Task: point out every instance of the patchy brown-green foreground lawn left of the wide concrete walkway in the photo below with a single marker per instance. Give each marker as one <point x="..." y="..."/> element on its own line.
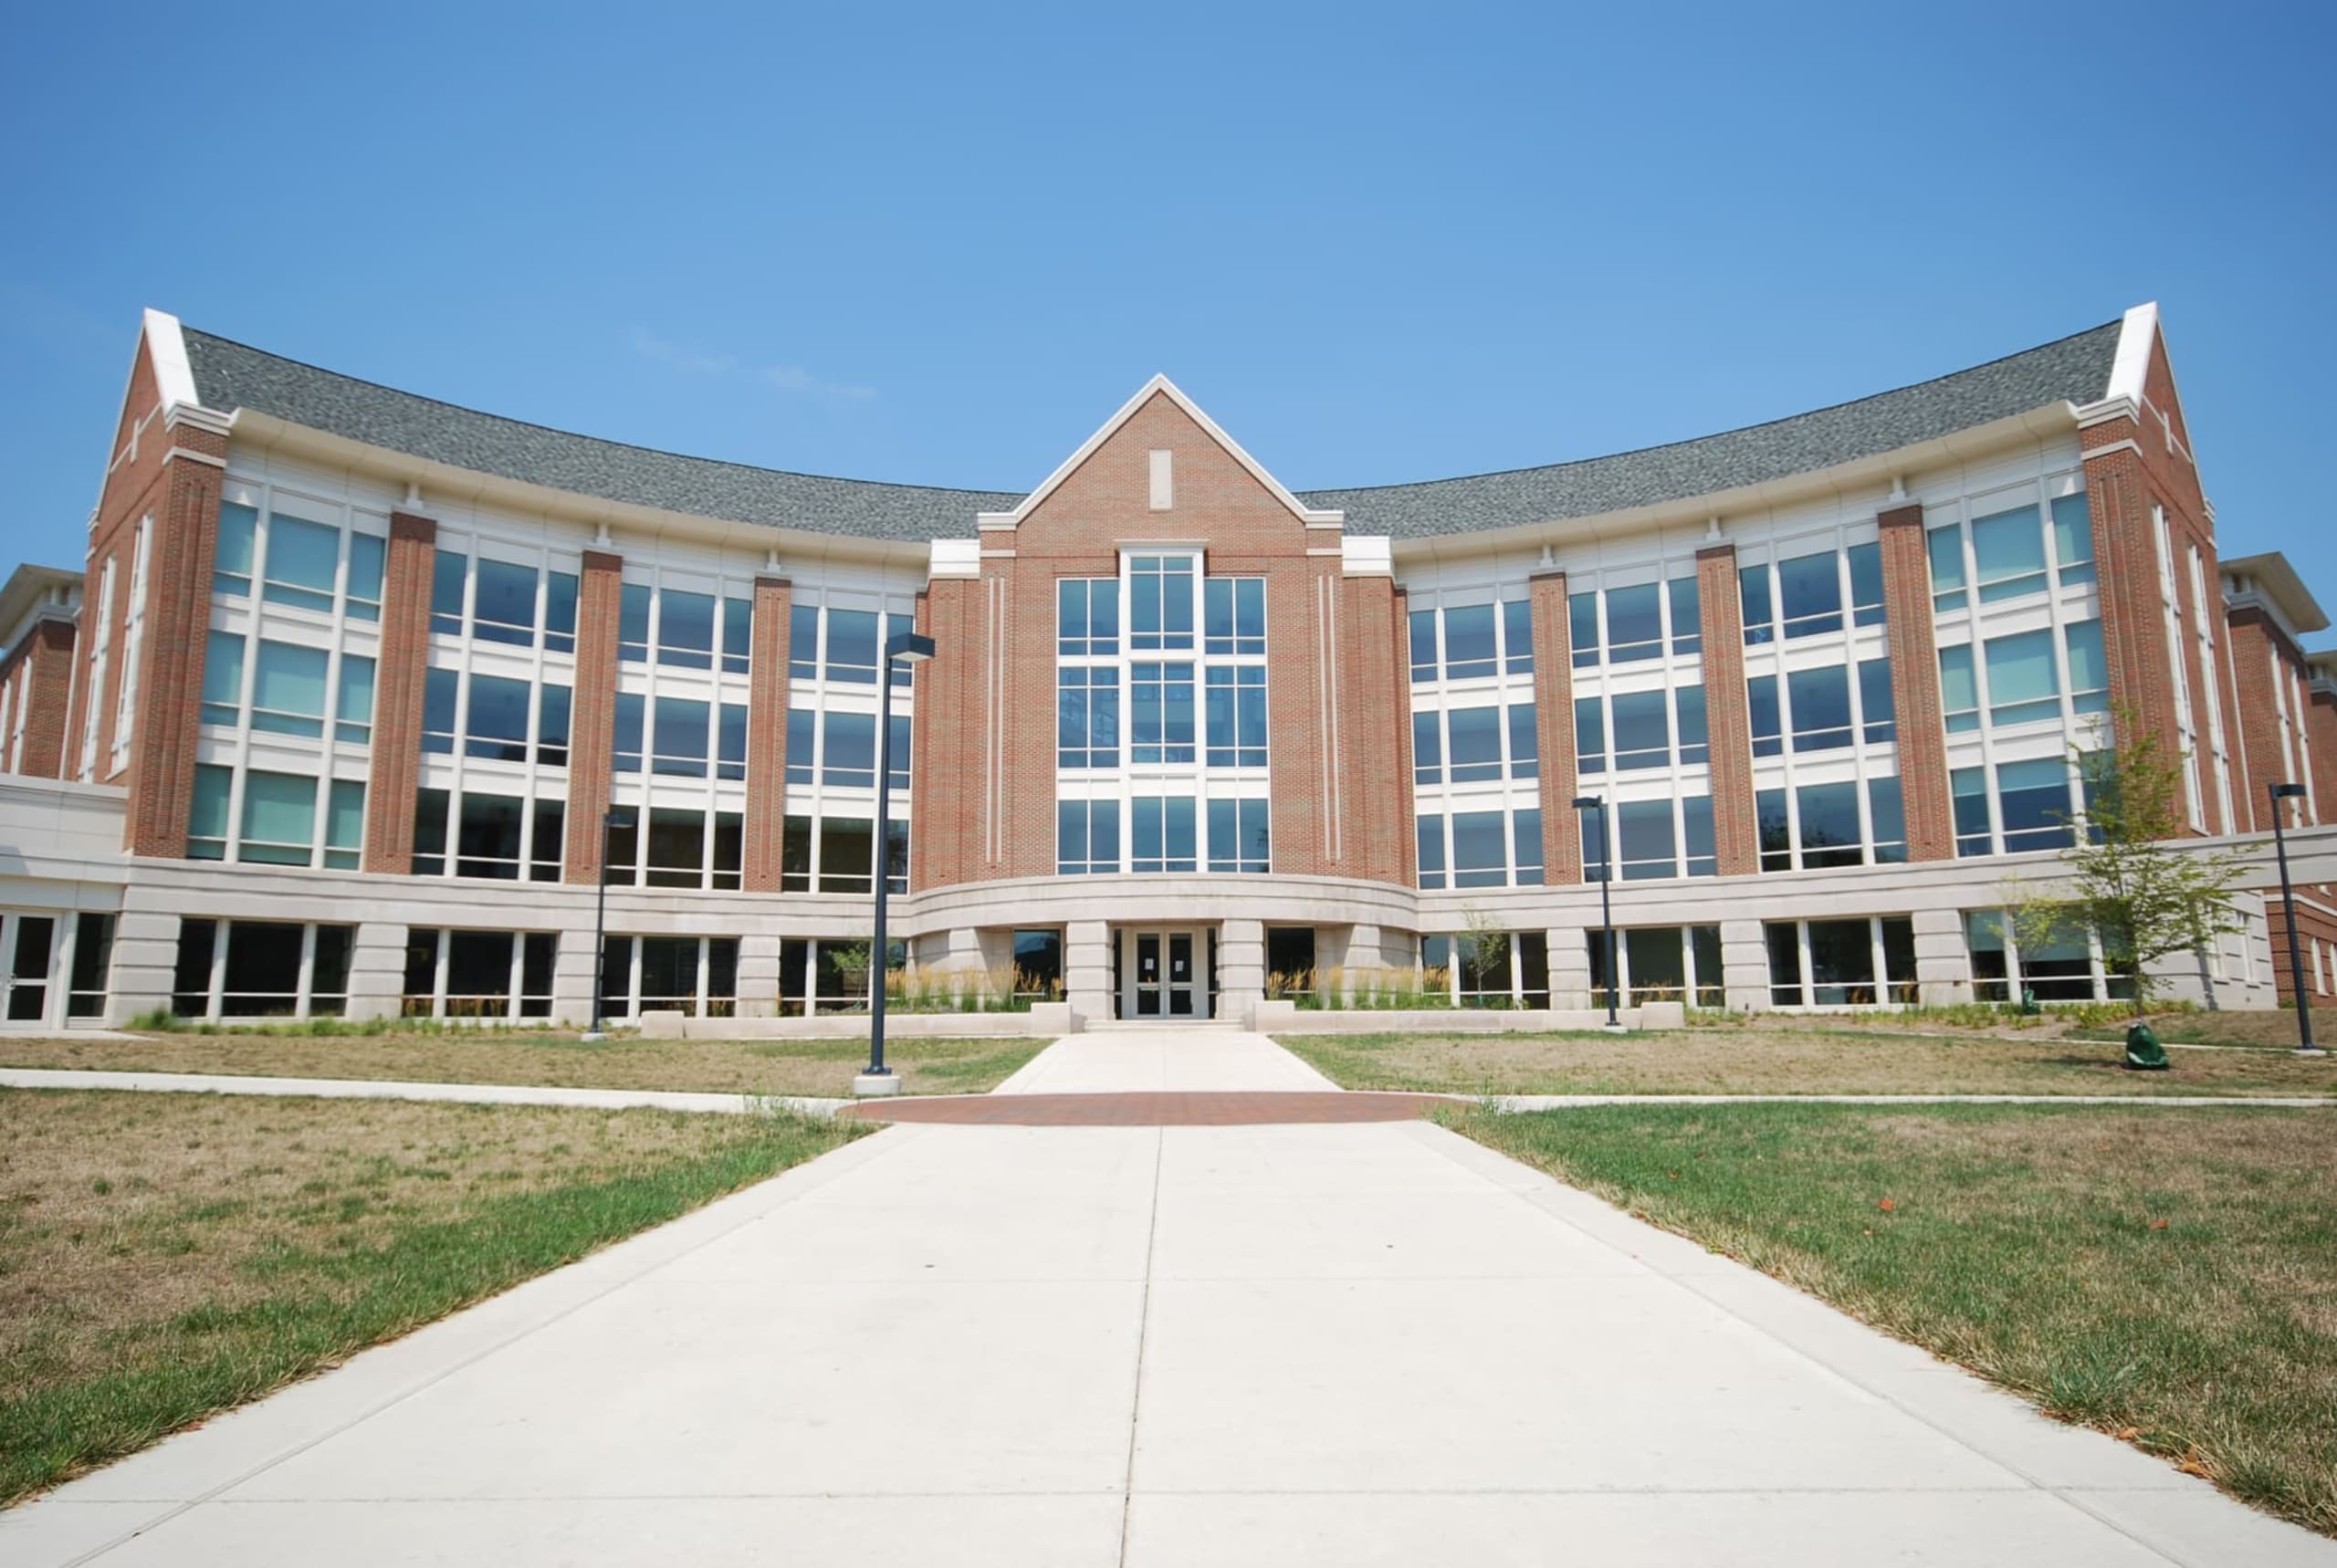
<point x="169" y="1256"/>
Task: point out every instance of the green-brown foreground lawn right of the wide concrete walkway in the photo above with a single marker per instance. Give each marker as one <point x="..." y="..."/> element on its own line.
<point x="2161" y="1275"/>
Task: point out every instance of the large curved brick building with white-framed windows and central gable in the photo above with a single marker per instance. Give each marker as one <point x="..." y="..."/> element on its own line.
<point x="345" y="660"/>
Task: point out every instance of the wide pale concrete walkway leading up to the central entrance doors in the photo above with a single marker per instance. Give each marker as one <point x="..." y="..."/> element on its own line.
<point x="1137" y="1345"/>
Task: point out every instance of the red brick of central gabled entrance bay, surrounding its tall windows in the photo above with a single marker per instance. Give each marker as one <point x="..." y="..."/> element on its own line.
<point x="990" y="698"/>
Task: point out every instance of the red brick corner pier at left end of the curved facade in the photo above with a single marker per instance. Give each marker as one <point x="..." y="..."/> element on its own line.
<point x="186" y="539"/>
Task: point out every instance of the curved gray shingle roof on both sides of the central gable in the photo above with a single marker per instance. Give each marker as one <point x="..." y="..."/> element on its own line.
<point x="237" y="377"/>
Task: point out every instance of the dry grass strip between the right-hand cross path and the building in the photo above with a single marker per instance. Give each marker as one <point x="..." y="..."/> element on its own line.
<point x="1791" y="1060"/>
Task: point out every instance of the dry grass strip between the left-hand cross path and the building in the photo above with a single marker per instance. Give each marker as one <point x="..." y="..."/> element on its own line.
<point x="483" y="1057"/>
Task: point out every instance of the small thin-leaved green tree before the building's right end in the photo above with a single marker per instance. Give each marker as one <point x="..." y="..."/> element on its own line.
<point x="2128" y="882"/>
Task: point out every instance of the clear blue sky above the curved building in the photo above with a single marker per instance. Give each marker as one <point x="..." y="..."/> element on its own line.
<point x="1378" y="244"/>
